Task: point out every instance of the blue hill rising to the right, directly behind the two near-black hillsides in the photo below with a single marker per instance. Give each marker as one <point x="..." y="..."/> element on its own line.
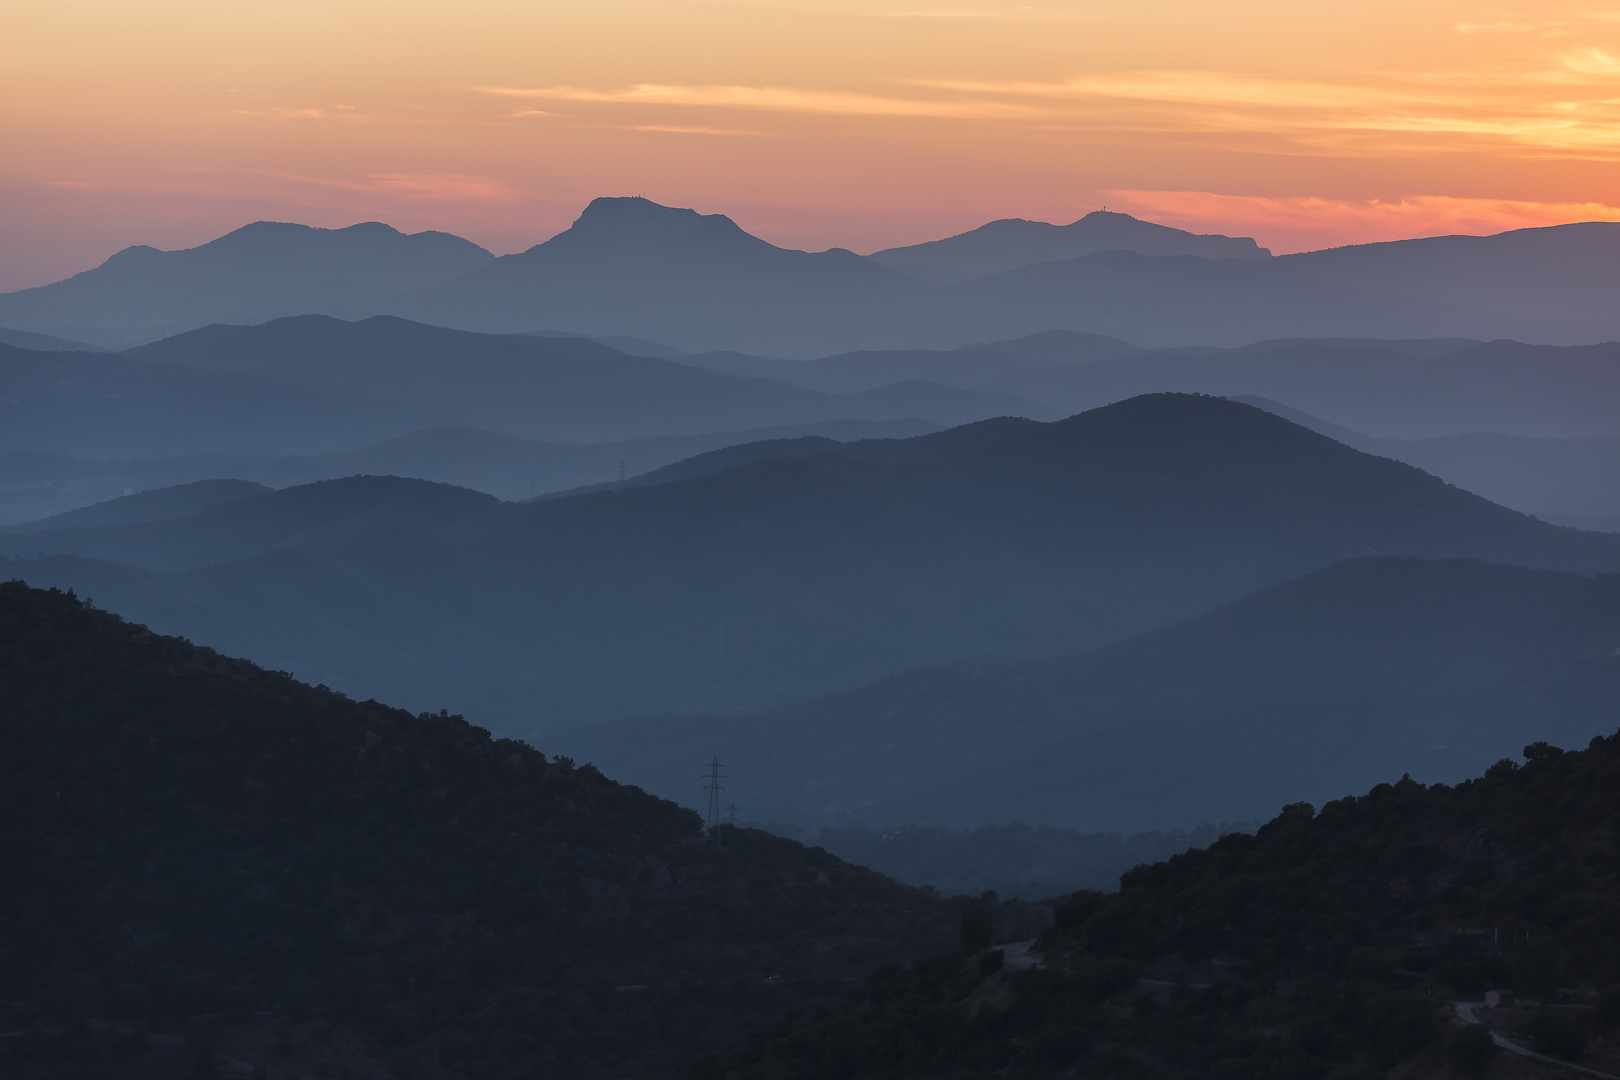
<point x="1310" y="691"/>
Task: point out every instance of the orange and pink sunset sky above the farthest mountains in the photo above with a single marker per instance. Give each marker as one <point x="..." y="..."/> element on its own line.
<point x="856" y="124"/>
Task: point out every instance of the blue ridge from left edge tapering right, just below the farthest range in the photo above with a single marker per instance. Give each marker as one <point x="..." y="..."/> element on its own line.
<point x="313" y="385"/>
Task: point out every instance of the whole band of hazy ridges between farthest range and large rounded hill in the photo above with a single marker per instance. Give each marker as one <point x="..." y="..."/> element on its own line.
<point x="310" y="398"/>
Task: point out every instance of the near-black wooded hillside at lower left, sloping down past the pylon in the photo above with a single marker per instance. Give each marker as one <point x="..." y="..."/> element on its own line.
<point x="234" y="862"/>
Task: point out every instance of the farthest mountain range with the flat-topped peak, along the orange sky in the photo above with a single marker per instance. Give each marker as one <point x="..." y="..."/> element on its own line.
<point x="631" y="268"/>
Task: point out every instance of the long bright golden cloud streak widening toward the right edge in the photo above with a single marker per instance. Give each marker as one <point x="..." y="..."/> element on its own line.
<point x="1558" y="103"/>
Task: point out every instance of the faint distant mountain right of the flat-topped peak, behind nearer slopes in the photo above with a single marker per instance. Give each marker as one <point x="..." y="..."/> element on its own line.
<point x="1015" y="242"/>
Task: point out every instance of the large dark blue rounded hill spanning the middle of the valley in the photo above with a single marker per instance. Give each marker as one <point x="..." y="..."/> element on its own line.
<point x="777" y="579"/>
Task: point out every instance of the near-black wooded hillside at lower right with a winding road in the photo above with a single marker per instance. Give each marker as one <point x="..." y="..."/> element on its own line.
<point x="1328" y="946"/>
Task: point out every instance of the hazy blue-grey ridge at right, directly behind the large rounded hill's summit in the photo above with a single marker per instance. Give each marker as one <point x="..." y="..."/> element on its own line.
<point x="1402" y="389"/>
